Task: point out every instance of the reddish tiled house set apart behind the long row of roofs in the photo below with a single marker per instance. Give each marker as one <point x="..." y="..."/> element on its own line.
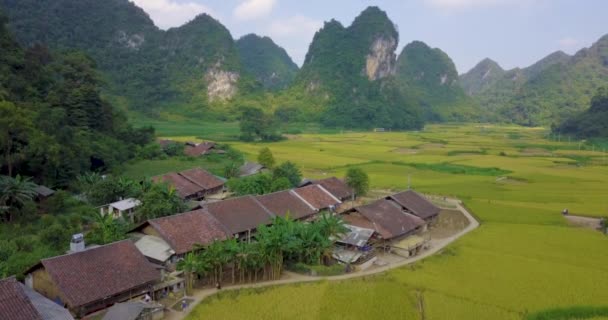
<point x="193" y="184"/>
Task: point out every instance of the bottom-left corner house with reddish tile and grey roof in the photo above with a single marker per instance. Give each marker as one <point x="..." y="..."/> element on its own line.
<point x="18" y="302"/>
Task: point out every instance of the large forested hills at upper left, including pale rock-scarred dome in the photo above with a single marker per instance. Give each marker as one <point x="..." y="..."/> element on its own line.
<point x="194" y="64"/>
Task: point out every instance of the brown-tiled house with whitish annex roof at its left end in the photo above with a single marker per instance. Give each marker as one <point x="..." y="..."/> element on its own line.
<point x="165" y="240"/>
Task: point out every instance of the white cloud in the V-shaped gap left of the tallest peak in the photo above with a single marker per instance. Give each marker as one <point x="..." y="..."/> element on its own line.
<point x="294" y="34"/>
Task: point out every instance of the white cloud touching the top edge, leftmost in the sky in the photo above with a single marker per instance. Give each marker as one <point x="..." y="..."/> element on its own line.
<point x="170" y="13"/>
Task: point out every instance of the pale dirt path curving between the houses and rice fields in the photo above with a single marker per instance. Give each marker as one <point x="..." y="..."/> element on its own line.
<point x="436" y="245"/>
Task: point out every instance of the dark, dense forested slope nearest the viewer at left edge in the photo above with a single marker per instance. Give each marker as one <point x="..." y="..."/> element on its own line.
<point x="54" y="124"/>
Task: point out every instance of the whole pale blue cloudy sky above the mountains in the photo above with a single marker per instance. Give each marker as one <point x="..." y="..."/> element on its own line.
<point x="515" y="33"/>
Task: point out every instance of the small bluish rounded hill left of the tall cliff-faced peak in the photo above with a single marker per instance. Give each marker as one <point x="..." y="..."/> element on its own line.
<point x="269" y="63"/>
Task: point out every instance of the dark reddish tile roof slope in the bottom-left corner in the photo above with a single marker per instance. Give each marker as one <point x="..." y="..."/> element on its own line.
<point x="14" y="303"/>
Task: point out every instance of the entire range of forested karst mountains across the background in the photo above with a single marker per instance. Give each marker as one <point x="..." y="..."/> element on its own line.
<point x="351" y="76"/>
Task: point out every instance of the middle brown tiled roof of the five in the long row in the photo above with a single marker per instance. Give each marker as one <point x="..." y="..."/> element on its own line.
<point x="279" y="203"/>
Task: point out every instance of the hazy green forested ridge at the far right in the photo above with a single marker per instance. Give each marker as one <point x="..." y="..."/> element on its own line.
<point x="545" y="93"/>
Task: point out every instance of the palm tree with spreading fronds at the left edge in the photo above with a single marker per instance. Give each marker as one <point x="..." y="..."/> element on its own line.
<point x="15" y="192"/>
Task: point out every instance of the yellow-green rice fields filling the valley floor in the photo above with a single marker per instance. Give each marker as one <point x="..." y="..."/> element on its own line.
<point x="523" y="259"/>
